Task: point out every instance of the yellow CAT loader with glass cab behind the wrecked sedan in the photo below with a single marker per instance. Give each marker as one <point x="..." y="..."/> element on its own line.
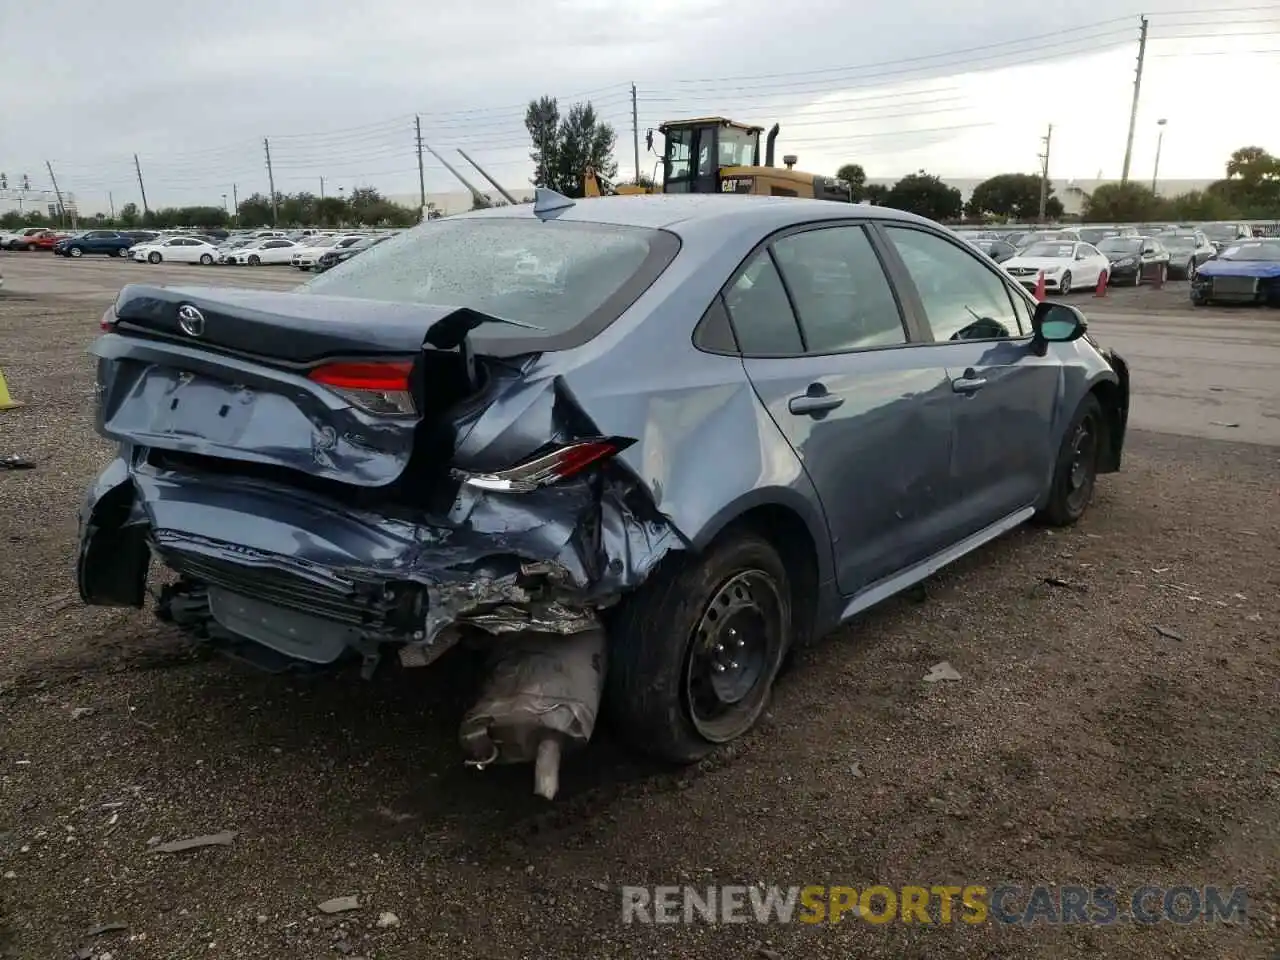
<point x="715" y="156"/>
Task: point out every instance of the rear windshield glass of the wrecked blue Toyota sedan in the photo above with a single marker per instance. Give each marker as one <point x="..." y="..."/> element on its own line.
<point x="569" y="278"/>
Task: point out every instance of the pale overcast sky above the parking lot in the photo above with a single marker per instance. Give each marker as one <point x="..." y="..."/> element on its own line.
<point x="962" y="89"/>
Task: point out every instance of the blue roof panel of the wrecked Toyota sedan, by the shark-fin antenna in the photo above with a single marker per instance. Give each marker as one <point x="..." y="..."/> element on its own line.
<point x="678" y="212"/>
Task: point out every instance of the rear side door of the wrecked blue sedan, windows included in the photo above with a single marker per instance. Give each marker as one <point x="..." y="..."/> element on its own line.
<point x="824" y="342"/>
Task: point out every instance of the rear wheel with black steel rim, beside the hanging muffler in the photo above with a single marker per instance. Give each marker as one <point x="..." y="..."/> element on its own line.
<point x="694" y="652"/>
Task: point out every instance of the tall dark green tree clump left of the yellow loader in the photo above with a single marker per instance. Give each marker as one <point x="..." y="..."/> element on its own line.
<point x="564" y="148"/>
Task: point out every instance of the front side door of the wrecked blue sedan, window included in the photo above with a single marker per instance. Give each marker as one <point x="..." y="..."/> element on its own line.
<point x="1004" y="396"/>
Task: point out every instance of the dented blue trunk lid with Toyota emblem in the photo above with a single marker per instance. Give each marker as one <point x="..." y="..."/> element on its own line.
<point x="232" y="382"/>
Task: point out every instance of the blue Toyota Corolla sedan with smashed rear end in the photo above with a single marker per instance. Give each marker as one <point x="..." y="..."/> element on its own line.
<point x="634" y="447"/>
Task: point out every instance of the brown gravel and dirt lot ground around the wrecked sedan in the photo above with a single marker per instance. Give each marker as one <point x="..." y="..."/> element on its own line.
<point x="1081" y="746"/>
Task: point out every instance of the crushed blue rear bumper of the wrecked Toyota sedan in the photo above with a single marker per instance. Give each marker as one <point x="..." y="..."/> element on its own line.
<point x="317" y="582"/>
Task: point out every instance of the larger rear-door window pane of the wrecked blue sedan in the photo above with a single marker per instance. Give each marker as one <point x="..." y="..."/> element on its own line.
<point x="839" y="290"/>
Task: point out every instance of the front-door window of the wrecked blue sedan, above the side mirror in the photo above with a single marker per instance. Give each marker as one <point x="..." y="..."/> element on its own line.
<point x="963" y="299"/>
